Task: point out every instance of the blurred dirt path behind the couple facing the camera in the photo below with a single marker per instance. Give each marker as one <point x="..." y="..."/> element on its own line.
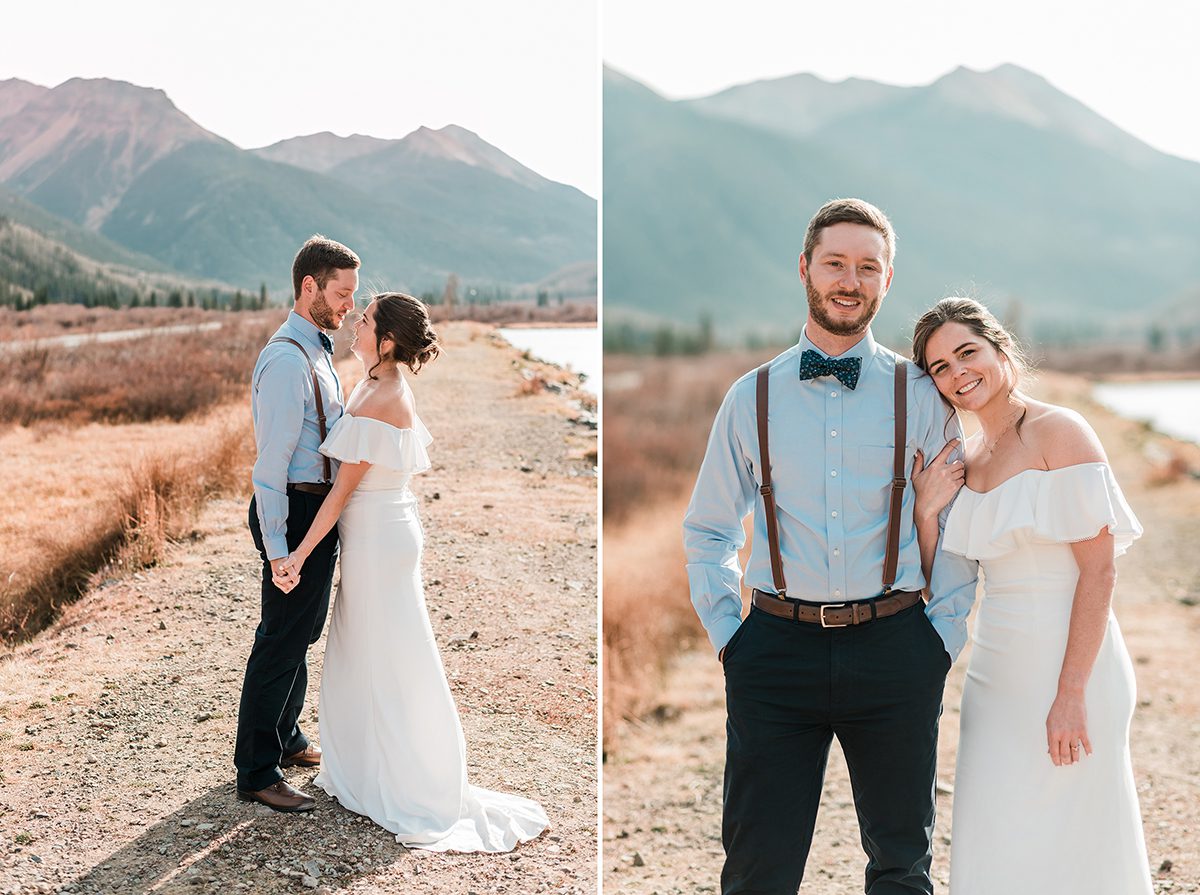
<point x="663" y="789"/>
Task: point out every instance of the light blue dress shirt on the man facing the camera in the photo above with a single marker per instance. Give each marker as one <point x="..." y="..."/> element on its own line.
<point x="831" y="462"/>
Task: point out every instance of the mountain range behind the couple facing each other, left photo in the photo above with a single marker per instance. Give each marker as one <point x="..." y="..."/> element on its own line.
<point x="123" y="164"/>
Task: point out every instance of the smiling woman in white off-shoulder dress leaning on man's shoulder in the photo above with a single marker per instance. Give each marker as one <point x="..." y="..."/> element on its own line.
<point x="1045" y="797"/>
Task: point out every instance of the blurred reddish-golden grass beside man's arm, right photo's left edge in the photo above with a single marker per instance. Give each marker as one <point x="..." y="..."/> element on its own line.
<point x="658" y="415"/>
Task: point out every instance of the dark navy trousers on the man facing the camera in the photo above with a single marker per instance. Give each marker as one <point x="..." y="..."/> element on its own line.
<point x="791" y="688"/>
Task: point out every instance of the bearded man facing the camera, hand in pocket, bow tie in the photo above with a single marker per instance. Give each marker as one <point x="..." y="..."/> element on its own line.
<point x="838" y="642"/>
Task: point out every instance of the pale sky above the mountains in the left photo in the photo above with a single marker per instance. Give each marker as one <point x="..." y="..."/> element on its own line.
<point x="523" y="75"/>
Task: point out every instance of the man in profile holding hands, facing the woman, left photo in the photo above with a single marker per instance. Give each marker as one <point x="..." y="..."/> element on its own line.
<point x="296" y="399"/>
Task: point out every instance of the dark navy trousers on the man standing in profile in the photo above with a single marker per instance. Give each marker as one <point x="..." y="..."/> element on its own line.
<point x="278" y="671"/>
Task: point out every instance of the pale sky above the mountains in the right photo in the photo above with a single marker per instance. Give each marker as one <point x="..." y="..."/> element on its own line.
<point x="1138" y="65"/>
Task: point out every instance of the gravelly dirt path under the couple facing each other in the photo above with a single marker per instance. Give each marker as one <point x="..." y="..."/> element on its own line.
<point x="117" y="725"/>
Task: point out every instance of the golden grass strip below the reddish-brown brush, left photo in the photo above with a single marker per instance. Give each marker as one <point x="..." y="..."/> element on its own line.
<point x="99" y="498"/>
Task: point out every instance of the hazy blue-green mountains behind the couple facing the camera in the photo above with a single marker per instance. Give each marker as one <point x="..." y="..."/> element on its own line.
<point x="999" y="185"/>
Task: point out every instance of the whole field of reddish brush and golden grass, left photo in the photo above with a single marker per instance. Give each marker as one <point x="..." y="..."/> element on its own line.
<point x="112" y="450"/>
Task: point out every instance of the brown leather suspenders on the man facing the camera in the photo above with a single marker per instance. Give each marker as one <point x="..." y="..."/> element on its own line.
<point x="892" y="554"/>
